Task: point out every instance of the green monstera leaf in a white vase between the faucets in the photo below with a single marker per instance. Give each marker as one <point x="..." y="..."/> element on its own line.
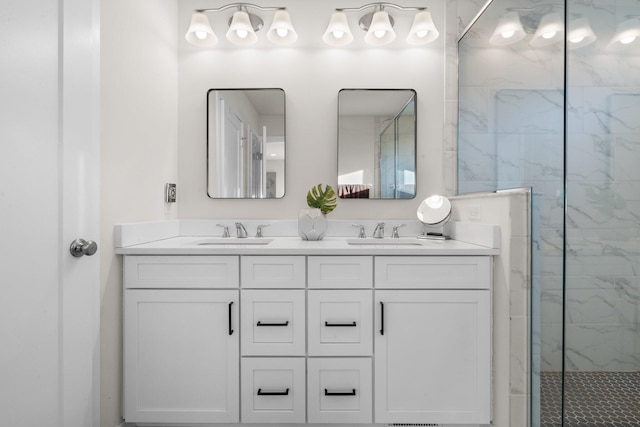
<point x="312" y="222"/>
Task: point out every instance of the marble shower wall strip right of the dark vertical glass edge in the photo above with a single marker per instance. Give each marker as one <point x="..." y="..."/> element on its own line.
<point x="603" y="196"/>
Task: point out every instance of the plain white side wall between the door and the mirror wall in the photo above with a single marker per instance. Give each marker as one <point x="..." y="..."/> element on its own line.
<point x="139" y="101"/>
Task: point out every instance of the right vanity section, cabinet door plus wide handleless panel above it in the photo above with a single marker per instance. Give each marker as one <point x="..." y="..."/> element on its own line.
<point x="433" y="340"/>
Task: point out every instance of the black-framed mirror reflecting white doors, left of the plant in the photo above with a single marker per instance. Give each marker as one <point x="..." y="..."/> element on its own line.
<point x="245" y="143"/>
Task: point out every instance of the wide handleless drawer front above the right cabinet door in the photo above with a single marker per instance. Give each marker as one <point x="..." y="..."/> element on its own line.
<point x="434" y="272"/>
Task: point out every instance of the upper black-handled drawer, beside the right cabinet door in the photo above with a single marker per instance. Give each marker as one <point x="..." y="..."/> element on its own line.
<point x="340" y="322"/>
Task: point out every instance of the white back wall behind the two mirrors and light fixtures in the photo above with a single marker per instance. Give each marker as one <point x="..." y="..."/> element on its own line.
<point x="311" y="75"/>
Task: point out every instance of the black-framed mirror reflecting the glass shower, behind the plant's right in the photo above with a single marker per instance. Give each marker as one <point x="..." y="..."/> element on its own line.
<point x="377" y="143"/>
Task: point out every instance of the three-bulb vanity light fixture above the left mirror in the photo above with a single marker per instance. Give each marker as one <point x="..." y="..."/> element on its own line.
<point x="243" y="26"/>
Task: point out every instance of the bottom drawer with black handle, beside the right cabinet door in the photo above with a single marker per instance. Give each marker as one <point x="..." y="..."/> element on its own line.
<point x="340" y="390"/>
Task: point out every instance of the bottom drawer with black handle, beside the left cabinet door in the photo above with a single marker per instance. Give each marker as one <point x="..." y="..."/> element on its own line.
<point x="273" y="390"/>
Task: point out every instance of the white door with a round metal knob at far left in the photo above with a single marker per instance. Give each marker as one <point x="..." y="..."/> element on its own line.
<point x="49" y="196"/>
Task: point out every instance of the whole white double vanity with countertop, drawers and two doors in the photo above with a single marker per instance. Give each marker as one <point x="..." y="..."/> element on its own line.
<point x="281" y="330"/>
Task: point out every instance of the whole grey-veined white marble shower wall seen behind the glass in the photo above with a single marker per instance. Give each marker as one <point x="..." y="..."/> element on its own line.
<point x="511" y="134"/>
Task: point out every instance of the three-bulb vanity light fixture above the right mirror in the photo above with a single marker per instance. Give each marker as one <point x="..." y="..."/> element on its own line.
<point x="379" y="26"/>
